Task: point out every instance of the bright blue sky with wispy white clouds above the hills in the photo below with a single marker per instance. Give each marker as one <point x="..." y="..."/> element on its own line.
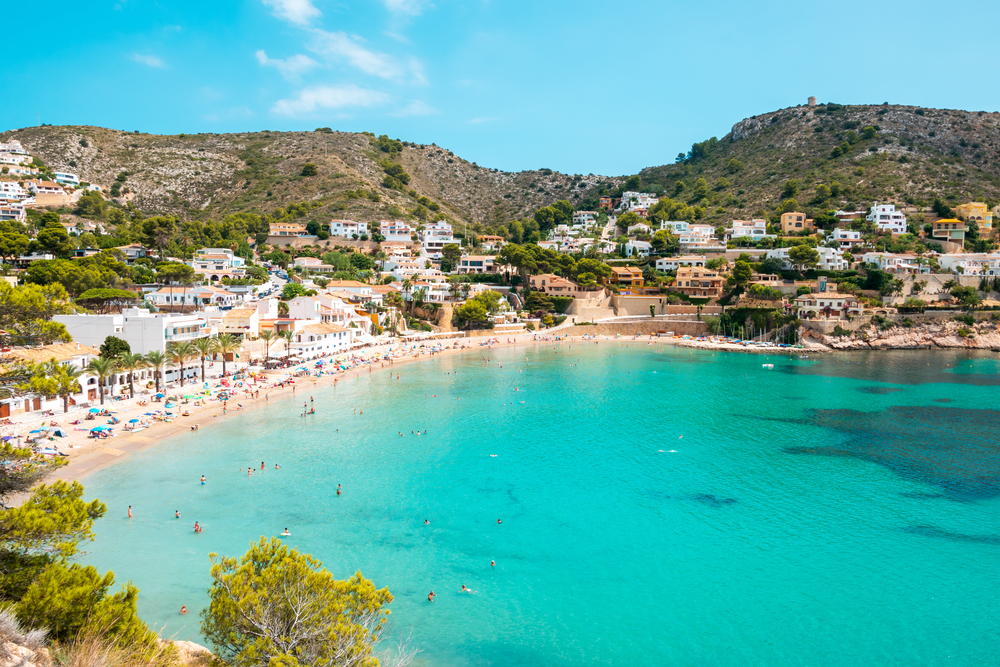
<point x="579" y="86"/>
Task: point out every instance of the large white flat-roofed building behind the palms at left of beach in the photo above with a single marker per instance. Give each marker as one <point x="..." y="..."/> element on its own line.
<point x="142" y="330"/>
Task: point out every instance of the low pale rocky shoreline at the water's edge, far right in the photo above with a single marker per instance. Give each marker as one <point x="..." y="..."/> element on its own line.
<point x="952" y="334"/>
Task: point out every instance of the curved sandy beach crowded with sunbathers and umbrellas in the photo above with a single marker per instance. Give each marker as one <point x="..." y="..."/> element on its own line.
<point x="86" y="454"/>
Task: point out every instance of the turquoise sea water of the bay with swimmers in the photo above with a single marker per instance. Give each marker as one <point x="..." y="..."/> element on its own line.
<point x="659" y="506"/>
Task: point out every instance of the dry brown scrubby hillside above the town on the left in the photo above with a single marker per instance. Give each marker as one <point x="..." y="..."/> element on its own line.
<point x="212" y="175"/>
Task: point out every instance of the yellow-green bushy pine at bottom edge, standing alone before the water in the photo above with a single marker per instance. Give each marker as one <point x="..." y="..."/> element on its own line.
<point x="276" y="606"/>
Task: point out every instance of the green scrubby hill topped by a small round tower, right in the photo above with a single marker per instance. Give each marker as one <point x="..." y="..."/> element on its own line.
<point x="913" y="156"/>
